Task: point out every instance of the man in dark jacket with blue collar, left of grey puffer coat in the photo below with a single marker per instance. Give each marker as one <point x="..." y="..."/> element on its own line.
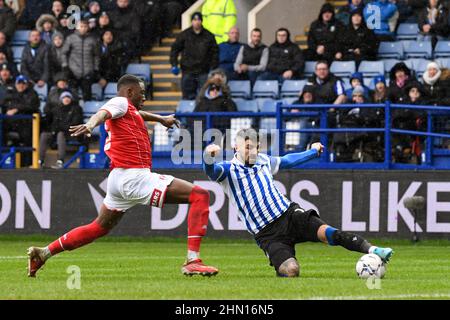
<point x="35" y="63"/>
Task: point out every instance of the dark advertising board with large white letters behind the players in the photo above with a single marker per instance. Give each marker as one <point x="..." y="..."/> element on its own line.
<point x="367" y="202"/>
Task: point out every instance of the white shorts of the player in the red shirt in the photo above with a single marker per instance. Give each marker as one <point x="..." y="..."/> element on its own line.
<point x="129" y="187"/>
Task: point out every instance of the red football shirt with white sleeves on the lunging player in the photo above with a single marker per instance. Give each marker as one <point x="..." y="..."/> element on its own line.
<point x="128" y="143"/>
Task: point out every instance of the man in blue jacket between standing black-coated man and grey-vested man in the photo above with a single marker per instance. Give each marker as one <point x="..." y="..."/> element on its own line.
<point x="228" y="52"/>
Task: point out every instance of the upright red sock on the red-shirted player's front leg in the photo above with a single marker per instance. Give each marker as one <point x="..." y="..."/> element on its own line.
<point x="197" y="217"/>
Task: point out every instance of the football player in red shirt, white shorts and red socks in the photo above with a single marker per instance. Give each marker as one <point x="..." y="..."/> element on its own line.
<point x="131" y="180"/>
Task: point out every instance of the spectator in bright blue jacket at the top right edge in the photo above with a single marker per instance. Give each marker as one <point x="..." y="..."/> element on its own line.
<point x="380" y="16"/>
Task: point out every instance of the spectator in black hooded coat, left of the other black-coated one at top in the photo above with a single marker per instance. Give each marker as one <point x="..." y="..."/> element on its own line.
<point x="323" y="35"/>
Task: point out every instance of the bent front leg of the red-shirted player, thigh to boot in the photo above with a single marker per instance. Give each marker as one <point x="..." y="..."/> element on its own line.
<point x="181" y="191"/>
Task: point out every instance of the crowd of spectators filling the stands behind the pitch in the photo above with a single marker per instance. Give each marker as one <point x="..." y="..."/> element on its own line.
<point x="69" y="58"/>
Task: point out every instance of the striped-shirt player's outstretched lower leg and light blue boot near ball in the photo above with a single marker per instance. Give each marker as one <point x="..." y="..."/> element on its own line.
<point x="351" y="241"/>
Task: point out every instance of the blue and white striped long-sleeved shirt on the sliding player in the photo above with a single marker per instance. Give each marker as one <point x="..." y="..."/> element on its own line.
<point x="252" y="189"/>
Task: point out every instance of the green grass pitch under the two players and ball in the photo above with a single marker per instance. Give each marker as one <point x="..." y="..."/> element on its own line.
<point x="124" y="268"/>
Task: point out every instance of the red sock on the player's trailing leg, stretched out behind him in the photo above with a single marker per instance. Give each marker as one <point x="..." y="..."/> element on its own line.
<point x="77" y="237"/>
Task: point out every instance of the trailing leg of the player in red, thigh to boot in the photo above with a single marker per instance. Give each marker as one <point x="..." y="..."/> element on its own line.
<point x="74" y="239"/>
